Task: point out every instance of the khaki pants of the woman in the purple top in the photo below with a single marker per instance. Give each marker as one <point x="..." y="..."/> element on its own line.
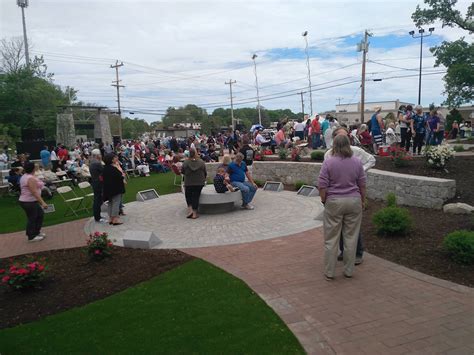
<point x="343" y="214"/>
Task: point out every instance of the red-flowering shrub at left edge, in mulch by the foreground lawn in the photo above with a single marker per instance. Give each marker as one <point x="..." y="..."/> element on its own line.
<point x="23" y="276"/>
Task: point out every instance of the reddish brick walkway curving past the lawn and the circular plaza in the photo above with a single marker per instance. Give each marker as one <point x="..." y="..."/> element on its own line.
<point x="384" y="309"/>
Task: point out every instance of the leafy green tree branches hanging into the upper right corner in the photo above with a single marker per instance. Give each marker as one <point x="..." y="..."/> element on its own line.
<point x="457" y="56"/>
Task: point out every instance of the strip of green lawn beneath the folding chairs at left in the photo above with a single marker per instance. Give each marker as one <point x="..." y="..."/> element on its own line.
<point x="14" y="219"/>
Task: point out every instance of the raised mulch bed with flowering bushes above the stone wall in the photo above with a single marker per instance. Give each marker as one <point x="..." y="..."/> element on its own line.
<point x="460" y="169"/>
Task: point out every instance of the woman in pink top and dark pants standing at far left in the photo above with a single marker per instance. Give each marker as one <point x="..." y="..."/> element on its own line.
<point x="31" y="201"/>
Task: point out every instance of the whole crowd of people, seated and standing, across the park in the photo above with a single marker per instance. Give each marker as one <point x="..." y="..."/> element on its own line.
<point x="349" y="154"/>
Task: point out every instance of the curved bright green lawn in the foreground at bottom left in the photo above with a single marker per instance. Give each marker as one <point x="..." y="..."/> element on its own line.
<point x="193" y="309"/>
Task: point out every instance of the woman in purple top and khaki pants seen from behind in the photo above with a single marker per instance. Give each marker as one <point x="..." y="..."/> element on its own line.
<point x="342" y="189"/>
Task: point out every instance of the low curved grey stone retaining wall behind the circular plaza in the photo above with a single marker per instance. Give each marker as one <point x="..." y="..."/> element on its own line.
<point x="411" y="190"/>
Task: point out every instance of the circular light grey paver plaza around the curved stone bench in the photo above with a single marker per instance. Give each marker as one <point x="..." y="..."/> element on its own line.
<point x="276" y="214"/>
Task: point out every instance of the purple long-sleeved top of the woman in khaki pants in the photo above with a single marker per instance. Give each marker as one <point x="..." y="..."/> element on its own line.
<point x="341" y="177"/>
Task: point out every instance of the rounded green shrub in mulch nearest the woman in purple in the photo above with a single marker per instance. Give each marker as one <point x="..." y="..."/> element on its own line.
<point x="392" y="221"/>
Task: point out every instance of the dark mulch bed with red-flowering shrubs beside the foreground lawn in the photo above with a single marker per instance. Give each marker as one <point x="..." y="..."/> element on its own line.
<point x="72" y="280"/>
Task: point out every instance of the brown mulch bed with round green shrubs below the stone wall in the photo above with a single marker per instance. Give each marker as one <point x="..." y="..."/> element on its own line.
<point x="421" y="249"/>
